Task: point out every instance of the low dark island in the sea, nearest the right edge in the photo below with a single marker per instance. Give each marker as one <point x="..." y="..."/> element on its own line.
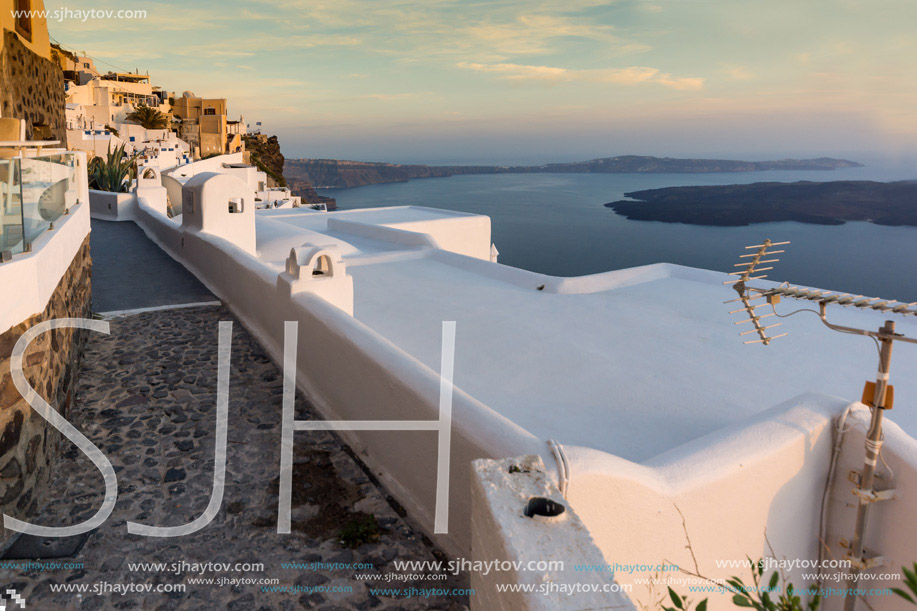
<point x="820" y="203"/>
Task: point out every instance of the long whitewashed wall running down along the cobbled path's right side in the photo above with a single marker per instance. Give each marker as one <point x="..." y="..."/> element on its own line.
<point x="334" y="351"/>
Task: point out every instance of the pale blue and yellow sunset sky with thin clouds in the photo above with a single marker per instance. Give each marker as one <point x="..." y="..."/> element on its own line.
<point x="532" y="81"/>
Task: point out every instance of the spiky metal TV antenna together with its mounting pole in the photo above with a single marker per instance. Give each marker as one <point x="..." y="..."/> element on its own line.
<point x="878" y="396"/>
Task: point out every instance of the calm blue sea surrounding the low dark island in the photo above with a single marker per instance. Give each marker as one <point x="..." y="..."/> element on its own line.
<point x="557" y="224"/>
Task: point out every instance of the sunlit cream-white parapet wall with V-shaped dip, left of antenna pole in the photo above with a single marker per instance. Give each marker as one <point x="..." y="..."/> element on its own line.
<point x="723" y="491"/>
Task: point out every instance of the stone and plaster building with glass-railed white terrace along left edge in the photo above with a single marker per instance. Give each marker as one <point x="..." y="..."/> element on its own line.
<point x="45" y="266"/>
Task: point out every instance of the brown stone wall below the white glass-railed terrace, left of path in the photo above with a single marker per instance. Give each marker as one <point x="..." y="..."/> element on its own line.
<point x="28" y="444"/>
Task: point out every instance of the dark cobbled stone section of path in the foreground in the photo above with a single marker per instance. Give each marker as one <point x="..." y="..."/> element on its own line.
<point x="147" y="398"/>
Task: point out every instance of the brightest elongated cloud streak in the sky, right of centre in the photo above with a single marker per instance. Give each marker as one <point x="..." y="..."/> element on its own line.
<point x="633" y="75"/>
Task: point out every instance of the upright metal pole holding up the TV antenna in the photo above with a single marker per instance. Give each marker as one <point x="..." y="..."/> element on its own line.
<point x="886" y="336"/>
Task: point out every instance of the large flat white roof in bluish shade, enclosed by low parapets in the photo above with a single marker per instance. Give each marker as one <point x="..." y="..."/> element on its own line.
<point x="648" y="361"/>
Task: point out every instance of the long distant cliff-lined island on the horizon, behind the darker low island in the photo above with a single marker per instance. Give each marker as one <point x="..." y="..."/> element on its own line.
<point x="340" y="173"/>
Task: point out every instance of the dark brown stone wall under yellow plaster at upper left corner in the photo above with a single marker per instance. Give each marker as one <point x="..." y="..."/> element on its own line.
<point x="32" y="88"/>
